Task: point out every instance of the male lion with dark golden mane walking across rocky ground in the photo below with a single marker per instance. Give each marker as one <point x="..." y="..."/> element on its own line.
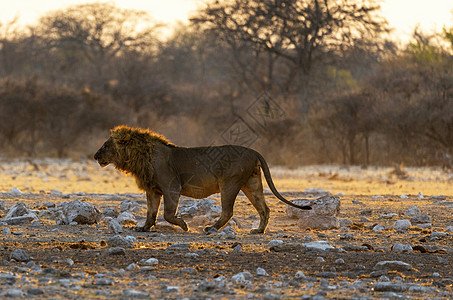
<point x="161" y="168"/>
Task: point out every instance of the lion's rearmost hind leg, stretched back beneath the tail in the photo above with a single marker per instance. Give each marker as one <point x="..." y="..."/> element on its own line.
<point x="253" y="189"/>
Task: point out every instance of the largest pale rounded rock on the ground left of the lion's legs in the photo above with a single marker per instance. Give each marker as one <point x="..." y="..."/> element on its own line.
<point x="80" y="212"/>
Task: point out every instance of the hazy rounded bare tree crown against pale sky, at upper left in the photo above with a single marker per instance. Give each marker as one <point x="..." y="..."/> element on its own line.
<point x="95" y="33"/>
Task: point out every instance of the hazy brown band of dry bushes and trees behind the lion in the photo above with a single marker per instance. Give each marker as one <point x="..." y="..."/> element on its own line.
<point x="330" y="86"/>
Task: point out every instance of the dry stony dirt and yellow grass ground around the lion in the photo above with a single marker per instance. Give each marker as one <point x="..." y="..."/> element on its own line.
<point x="73" y="261"/>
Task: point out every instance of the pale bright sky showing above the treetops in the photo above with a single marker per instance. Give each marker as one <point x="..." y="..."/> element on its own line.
<point x="403" y="15"/>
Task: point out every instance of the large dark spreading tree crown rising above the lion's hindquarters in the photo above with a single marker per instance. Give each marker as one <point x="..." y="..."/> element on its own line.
<point x="289" y="34"/>
